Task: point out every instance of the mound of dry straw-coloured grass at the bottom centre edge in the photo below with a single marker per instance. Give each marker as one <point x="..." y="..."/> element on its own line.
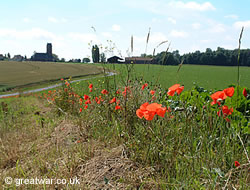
<point x="111" y="169"/>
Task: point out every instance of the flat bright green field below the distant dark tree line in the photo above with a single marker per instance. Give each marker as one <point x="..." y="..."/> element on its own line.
<point x="209" y="77"/>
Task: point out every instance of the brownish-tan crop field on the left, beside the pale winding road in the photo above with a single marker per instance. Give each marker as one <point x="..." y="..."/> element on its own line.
<point x="13" y="74"/>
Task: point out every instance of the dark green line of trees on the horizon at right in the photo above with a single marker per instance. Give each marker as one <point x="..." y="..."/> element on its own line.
<point x="220" y="57"/>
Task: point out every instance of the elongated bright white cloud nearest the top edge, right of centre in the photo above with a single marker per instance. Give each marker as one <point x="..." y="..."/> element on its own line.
<point x="207" y="6"/>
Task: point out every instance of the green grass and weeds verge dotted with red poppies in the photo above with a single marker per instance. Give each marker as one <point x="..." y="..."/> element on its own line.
<point x="189" y="138"/>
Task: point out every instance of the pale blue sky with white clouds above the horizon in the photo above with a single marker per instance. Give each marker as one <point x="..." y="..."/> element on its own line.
<point x="73" y="26"/>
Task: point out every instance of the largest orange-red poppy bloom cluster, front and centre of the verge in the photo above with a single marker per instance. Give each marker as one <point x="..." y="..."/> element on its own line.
<point x="148" y="111"/>
